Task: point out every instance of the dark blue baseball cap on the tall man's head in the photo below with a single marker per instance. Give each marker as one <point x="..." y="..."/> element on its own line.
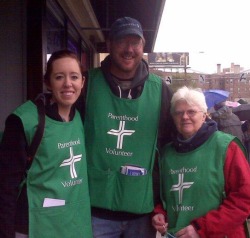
<point x="125" y="26"/>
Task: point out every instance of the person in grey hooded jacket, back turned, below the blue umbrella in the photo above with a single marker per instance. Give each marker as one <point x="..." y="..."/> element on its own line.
<point x="227" y="121"/>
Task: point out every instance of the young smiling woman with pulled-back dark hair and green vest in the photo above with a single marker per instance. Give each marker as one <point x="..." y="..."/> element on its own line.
<point x="54" y="202"/>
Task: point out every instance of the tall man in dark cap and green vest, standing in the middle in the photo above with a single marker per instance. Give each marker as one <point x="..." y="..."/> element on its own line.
<point x="127" y="116"/>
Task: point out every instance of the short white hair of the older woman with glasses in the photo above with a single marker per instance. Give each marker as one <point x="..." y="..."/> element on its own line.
<point x="192" y="96"/>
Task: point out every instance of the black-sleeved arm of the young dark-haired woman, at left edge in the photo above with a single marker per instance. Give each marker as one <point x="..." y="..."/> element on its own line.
<point x="13" y="157"/>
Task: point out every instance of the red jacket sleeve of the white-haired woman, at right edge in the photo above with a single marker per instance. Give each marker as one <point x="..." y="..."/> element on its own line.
<point x="236" y="207"/>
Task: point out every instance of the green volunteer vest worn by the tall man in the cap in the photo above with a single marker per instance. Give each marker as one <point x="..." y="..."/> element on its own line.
<point x="120" y="132"/>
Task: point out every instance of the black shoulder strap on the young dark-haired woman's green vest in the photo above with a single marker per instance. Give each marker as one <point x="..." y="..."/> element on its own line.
<point x="39" y="131"/>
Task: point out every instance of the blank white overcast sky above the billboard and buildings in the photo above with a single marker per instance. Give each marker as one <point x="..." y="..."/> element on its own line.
<point x="212" y="31"/>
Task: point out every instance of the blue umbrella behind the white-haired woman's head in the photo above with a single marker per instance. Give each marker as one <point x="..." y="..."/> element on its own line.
<point x="214" y="96"/>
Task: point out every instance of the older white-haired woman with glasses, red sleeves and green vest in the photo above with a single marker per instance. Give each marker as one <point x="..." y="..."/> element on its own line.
<point x="205" y="176"/>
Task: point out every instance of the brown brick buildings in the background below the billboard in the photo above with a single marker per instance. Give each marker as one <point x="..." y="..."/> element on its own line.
<point x="233" y="79"/>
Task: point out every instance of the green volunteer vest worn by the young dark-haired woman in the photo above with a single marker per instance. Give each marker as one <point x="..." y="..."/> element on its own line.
<point x="57" y="186"/>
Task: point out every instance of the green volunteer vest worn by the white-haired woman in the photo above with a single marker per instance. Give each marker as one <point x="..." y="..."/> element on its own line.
<point x="193" y="182"/>
